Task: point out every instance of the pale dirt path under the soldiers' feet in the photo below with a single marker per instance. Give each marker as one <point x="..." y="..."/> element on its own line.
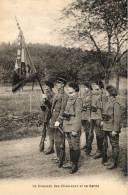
<point x="22" y="159"/>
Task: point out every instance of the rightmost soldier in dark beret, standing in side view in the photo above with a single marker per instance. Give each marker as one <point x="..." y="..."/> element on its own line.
<point x="111" y="127"/>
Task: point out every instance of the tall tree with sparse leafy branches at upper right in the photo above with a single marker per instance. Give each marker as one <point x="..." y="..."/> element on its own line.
<point x="99" y="20"/>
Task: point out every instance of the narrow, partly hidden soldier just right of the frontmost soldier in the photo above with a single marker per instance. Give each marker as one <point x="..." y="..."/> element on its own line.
<point x="86" y="110"/>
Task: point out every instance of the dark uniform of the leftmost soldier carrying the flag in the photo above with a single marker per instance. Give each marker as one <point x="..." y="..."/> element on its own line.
<point x="45" y="117"/>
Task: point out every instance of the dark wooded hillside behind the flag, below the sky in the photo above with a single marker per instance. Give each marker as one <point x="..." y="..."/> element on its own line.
<point x="73" y="63"/>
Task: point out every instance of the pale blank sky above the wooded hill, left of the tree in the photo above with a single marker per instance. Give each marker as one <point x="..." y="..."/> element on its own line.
<point x="38" y="20"/>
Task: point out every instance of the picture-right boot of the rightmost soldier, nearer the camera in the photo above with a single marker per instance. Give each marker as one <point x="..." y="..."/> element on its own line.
<point x="115" y="156"/>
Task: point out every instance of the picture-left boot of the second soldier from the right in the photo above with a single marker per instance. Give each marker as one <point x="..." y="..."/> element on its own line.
<point x="99" y="148"/>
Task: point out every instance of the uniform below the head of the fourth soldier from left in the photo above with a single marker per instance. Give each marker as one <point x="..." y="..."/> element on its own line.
<point x="86" y="114"/>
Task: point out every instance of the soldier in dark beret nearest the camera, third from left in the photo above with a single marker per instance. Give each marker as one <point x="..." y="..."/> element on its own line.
<point x="72" y="124"/>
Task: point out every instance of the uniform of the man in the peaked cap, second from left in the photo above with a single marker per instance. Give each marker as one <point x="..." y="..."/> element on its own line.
<point x="55" y="134"/>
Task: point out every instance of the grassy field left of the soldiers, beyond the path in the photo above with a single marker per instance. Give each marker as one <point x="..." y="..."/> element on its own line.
<point x="19" y="114"/>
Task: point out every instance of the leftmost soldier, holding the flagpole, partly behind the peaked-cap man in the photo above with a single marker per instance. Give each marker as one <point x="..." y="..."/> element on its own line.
<point x="46" y="110"/>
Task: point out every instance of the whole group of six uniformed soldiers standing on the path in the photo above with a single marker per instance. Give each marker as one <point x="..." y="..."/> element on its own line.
<point x="67" y="107"/>
